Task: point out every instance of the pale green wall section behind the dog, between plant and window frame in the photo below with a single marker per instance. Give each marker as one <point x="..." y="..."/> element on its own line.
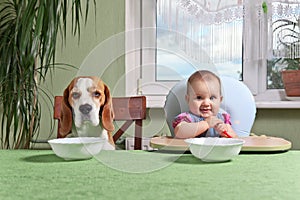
<point x="100" y="29"/>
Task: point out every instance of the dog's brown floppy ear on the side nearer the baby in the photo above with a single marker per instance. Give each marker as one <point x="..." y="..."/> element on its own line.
<point x="107" y="111"/>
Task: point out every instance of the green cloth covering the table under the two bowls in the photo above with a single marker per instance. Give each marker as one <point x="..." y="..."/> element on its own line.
<point x="32" y="174"/>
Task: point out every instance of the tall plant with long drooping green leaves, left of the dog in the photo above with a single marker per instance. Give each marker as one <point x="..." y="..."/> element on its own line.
<point x="28" y="34"/>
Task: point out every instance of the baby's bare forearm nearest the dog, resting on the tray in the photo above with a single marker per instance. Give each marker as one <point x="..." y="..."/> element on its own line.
<point x="190" y="129"/>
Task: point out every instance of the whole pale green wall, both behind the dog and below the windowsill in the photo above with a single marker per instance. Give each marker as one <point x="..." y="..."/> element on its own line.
<point x="108" y="27"/>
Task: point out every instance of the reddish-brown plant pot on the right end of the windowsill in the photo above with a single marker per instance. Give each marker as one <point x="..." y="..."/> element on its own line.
<point x="291" y="82"/>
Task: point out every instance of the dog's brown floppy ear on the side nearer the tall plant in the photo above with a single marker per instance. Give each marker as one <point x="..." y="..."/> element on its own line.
<point x="66" y="117"/>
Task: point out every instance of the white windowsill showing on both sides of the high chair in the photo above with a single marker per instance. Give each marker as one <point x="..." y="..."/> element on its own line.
<point x="158" y="102"/>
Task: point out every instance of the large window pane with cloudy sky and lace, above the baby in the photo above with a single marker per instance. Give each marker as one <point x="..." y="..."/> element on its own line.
<point x="184" y="35"/>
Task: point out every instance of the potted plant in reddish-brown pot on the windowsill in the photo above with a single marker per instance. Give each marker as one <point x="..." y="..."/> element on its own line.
<point x="288" y="34"/>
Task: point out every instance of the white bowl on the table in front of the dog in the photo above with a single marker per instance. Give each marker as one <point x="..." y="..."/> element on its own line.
<point x="76" y="148"/>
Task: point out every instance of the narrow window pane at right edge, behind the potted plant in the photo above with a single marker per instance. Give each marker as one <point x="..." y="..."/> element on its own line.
<point x="285" y="41"/>
